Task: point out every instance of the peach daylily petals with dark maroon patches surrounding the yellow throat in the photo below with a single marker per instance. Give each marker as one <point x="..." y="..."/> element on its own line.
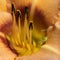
<point x="44" y="14"/>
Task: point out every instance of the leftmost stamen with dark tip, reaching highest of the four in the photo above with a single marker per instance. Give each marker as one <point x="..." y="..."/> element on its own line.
<point x="14" y="27"/>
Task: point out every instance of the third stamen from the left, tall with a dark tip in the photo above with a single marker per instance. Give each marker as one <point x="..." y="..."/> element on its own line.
<point x="26" y="32"/>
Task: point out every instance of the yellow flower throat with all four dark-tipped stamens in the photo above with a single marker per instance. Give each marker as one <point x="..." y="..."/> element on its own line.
<point x="24" y="39"/>
